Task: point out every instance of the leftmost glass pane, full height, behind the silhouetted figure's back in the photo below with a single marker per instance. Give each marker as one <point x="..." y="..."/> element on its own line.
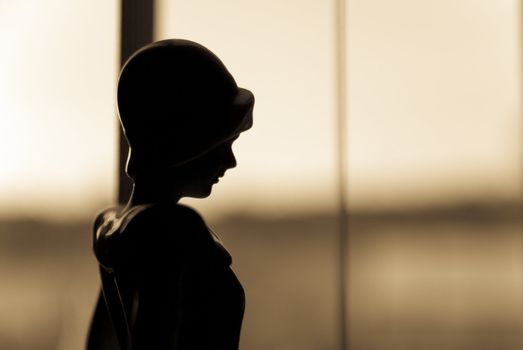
<point x="57" y="148"/>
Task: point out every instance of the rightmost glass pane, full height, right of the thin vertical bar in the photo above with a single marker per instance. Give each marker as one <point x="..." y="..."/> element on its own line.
<point x="435" y="174"/>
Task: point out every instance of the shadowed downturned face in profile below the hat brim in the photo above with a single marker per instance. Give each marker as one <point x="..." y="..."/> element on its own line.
<point x="196" y="178"/>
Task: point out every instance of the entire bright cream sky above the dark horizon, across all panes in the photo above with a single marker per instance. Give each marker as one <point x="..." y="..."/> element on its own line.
<point x="434" y="111"/>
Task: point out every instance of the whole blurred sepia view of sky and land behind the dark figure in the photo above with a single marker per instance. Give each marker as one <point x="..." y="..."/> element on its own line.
<point x="433" y="158"/>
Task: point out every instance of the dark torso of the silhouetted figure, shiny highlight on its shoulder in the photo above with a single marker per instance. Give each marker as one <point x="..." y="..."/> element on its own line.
<point x="174" y="276"/>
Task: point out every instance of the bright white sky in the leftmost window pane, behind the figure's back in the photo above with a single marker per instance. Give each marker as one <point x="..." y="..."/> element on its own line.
<point x="57" y="125"/>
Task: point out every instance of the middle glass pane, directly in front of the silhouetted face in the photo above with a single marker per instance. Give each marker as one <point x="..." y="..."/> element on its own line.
<point x="275" y="210"/>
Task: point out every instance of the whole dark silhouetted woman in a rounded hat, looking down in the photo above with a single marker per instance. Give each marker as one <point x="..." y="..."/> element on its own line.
<point x="166" y="278"/>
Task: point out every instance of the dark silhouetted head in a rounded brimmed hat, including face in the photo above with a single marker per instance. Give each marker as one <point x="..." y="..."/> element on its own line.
<point x="180" y="109"/>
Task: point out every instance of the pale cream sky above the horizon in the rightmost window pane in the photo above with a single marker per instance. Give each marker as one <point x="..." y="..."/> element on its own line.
<point x="434" y="101"/>
